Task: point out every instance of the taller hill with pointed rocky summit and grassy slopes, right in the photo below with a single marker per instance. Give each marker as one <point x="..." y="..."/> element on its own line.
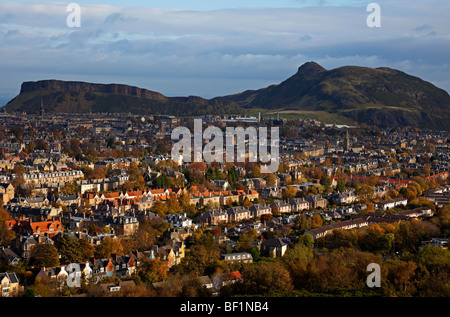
<point x="376" y="96"/>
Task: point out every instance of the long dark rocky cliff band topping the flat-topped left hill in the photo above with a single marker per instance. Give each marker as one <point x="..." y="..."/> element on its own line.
<point x="73" y="86"/>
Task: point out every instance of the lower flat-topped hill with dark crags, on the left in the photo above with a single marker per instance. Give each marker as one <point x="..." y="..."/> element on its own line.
<point x="78" y="97"/>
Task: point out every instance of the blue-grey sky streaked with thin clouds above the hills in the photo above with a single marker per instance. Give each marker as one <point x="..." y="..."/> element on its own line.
<point x="212" y="48"/>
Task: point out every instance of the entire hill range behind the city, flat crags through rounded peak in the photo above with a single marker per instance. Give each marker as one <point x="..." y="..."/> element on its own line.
<point x="350" y="94"/>
